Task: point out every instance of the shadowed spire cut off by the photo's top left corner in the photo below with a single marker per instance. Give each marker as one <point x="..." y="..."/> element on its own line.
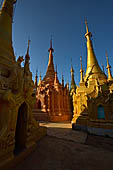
<point x="6" y="15"/>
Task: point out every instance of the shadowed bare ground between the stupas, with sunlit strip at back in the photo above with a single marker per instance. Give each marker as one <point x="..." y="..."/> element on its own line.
<point x="66" y="149"/>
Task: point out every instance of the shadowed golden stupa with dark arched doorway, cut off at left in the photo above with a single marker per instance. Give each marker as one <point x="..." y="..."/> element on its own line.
<point x="18" y="130"/>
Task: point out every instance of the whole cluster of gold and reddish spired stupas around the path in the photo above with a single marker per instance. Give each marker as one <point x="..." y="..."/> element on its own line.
<point x="90" y="103"/>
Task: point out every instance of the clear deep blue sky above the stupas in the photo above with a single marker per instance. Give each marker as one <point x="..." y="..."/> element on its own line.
<point x="65" y="21"/>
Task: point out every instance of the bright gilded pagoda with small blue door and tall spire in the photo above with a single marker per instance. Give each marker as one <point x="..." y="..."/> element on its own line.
<point x="93" y="98"/>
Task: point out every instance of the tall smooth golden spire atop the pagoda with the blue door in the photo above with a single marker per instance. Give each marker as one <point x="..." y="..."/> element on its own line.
<point x="93" y="69"/>
